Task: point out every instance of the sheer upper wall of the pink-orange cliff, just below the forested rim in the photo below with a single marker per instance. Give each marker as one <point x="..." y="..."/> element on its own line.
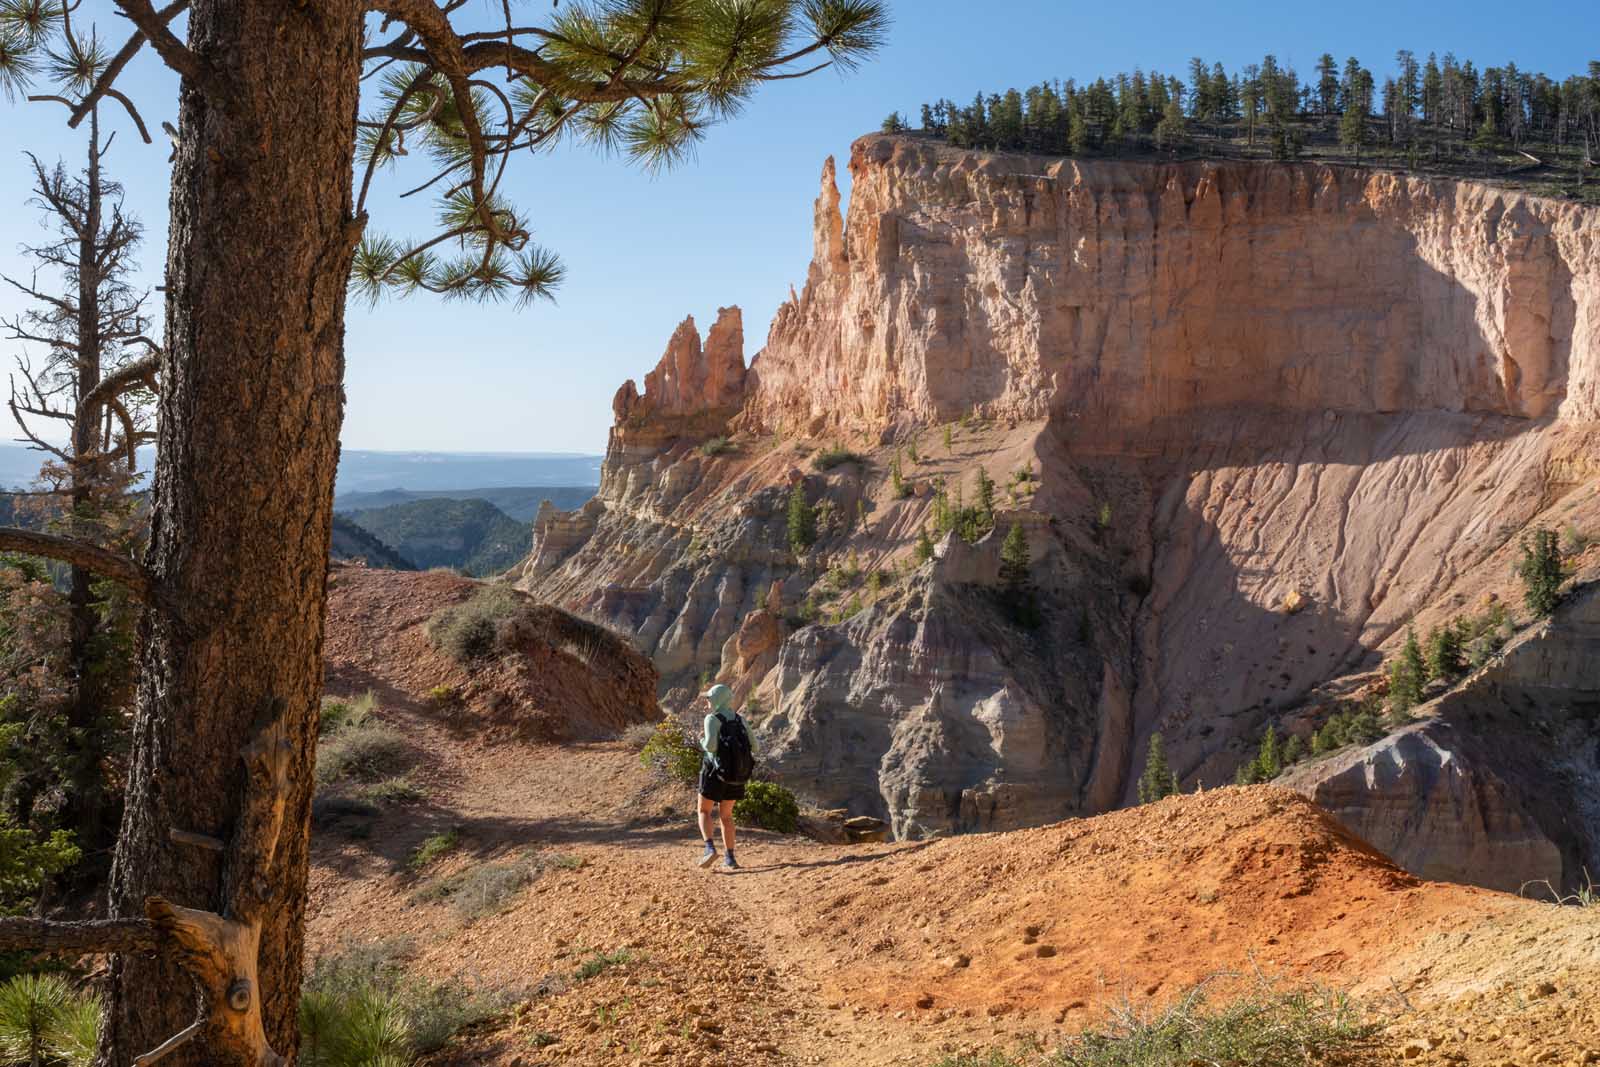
<point x="1135" y="294"/>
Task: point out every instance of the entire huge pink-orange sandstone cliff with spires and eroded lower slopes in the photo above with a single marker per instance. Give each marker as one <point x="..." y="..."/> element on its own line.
<point x="1270" y="417"/>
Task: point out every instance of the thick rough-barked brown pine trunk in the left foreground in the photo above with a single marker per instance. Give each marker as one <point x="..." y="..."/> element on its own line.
<point x="250" y="409"/>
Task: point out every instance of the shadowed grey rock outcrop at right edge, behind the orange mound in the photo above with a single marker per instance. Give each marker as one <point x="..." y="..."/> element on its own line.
<point x="1500" y="786"/>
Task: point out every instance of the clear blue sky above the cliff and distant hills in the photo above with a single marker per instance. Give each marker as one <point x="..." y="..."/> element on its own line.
<point x="734" y="226"/>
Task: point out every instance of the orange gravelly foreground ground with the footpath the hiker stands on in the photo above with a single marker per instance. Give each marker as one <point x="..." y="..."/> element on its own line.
<point x="622" y="951"/>
